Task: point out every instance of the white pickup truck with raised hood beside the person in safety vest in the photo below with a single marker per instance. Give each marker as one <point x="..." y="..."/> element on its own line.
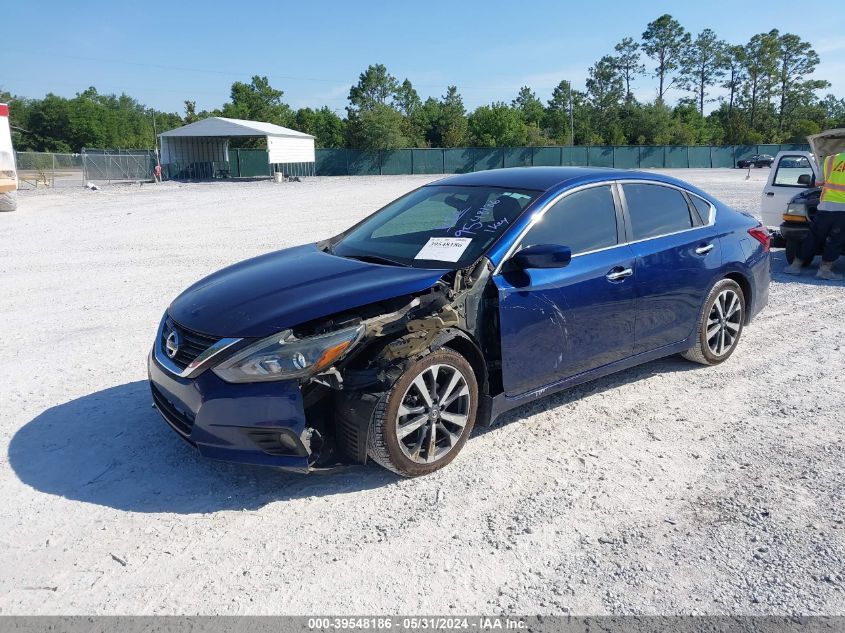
<point x="790" y="197"/>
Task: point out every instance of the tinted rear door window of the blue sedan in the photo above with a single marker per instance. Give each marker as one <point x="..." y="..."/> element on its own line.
<point x="654" y="210"/>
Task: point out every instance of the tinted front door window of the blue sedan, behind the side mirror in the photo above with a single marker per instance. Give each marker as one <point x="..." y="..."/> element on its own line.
<point x="584" y="221"/>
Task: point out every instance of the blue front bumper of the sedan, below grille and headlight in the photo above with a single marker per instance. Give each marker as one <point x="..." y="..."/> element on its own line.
<point x="257" y="423"/>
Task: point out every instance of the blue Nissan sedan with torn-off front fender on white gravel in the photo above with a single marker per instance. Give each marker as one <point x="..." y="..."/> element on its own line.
<point x="462" y="299"/>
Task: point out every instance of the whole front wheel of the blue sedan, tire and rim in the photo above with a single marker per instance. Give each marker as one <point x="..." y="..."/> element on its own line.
<point x="413" y="454"/>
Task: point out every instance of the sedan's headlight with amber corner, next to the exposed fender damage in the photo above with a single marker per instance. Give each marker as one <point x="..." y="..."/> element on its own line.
<point x="283" y="357"/>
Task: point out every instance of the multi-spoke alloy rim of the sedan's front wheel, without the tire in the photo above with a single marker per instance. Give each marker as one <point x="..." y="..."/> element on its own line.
<point x="433" y="413"/>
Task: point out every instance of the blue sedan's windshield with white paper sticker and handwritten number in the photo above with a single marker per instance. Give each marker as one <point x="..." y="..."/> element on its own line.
<point x="440" y="226"/>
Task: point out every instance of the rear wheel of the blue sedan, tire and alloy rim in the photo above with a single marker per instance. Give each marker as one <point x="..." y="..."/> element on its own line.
<point x="719" y="316"/>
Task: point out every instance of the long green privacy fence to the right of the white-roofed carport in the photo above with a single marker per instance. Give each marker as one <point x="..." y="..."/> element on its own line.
<point x="353" y="162"/>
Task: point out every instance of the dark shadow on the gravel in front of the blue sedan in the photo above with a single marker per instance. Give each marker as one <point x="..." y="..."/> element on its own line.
<point x="112" y="449"/>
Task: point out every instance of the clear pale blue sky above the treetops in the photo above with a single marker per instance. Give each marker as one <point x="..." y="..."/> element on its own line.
<point x="163" y="53"/>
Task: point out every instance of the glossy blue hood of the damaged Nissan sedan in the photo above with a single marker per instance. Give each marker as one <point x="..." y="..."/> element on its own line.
<point x="266" y="294"/>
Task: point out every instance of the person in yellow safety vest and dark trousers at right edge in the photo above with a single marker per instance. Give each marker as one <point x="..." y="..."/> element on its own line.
<point x="828" y="229"/>
